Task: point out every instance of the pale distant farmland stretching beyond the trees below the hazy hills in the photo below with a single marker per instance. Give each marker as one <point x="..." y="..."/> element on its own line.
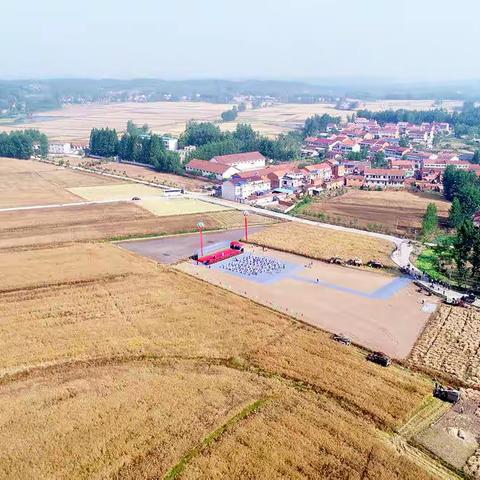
<point x="72" y="123"/>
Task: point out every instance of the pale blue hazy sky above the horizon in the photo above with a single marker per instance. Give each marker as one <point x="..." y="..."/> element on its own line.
<point x="402" y="39"/>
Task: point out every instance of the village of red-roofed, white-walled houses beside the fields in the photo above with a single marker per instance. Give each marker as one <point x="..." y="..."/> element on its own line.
<point x="357" y="154"/>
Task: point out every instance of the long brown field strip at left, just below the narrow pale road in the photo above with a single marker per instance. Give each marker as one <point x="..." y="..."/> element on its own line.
<point x="39" y="228"/>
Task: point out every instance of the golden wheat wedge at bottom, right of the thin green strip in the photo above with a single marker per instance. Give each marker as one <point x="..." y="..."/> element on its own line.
<point x="300" y="425"/>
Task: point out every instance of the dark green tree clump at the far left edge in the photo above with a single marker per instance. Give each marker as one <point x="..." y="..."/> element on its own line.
<point x="23" y="144"/>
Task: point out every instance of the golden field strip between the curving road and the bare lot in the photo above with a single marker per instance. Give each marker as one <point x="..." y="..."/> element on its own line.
<point x="323" y="243"/>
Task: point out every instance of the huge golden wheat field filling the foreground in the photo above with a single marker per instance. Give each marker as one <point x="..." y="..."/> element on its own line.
<point x="113" y="366"/>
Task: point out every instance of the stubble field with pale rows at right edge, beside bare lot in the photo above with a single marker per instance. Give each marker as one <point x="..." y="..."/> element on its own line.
<point x="451" y="344"/>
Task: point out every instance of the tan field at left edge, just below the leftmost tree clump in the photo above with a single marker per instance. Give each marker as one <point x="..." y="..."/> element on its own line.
<point x="26" y="183"/>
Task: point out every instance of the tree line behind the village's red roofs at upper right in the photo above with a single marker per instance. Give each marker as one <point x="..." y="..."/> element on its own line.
<point x="465" y="122"/>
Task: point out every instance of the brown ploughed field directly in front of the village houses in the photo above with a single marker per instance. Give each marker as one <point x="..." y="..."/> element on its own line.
<point x="388" y="211"/>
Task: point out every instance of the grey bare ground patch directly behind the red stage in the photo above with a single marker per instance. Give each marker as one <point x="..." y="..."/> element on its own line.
<point x="170" y="250"/>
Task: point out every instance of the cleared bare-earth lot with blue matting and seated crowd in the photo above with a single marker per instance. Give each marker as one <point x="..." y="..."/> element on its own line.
<point x="376" y="310"/>
